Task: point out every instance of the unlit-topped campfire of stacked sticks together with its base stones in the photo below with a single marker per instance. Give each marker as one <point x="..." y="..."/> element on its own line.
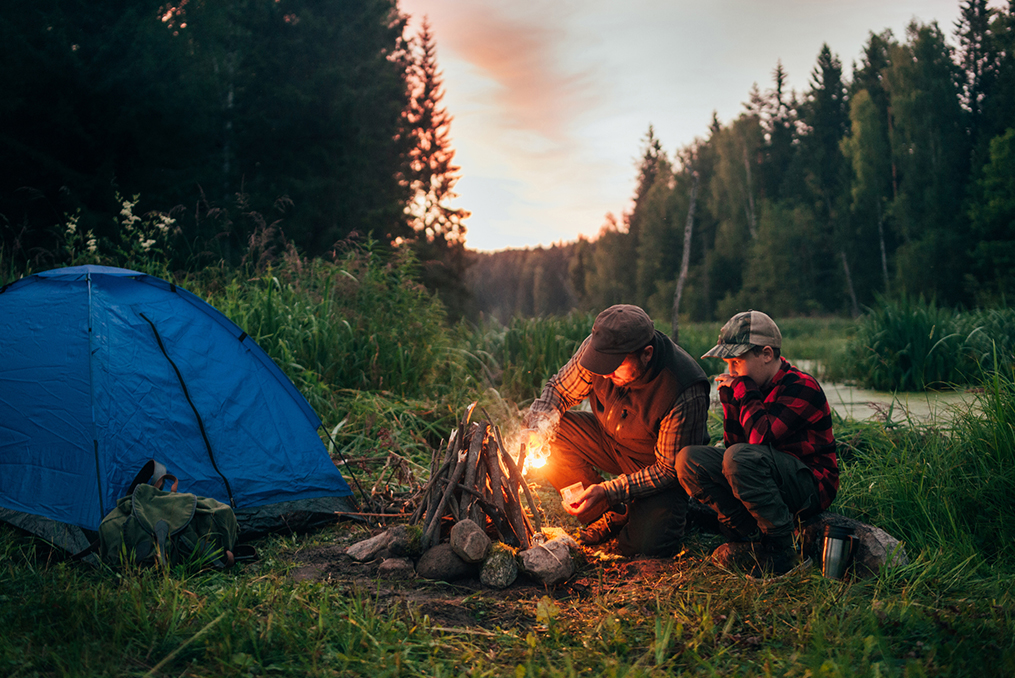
<point x="476" y="516"/>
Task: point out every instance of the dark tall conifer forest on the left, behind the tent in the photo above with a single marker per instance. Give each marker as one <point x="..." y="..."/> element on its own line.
<point x="298" y="123"/>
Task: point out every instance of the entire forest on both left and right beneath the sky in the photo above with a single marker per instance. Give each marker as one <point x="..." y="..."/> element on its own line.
<point x="273" y="126"/>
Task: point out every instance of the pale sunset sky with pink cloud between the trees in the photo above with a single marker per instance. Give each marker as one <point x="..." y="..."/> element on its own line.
<point x="552" y="100"/>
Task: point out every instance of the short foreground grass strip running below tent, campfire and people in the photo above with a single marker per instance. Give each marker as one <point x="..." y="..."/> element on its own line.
<point x="687" y="620"/>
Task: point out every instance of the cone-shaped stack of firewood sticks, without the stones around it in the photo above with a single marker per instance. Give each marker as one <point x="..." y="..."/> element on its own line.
<point x="478" y="480"/>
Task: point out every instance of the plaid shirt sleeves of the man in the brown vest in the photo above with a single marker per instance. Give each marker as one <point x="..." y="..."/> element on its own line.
<point x="684" y="425"/>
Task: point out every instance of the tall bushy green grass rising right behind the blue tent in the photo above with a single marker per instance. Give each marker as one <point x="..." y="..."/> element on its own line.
<point x="361" y="323"/>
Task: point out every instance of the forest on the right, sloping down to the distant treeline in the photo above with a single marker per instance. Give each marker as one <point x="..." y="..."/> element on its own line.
<point x="900" y="181"/>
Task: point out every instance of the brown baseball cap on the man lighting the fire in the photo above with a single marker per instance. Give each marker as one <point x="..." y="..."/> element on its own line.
<point x="620" y="330"/>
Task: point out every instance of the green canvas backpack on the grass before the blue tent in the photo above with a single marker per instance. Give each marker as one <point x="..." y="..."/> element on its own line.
<point x="152" y="526"/>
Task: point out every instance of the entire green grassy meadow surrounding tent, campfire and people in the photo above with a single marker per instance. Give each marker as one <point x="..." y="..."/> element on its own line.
<point x="374" y="355"/>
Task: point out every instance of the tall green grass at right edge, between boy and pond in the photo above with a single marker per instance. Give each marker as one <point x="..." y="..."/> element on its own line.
<point x="944" y="488"/>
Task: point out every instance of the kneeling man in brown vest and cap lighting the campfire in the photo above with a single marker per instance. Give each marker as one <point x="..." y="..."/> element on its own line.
<point x="649" y="399"/>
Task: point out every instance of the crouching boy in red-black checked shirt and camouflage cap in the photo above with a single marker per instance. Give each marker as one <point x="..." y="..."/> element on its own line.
<point x="779" y="463"/>
